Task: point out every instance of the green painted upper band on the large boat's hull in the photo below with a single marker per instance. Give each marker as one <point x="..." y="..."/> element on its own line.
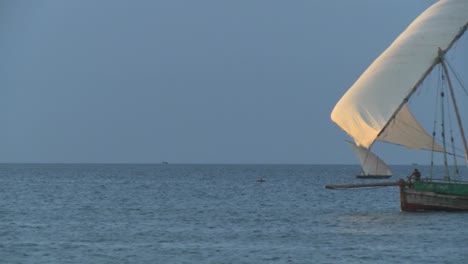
<point x="449" y="188"/>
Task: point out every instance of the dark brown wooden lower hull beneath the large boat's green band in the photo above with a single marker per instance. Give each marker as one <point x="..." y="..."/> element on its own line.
<point x="412" y="200"/>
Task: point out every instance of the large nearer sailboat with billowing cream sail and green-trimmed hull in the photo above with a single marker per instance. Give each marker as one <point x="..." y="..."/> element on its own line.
<point x="376" y="107"/>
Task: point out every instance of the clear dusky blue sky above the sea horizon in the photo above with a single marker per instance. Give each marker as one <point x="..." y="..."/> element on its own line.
<point x="183" y="81"/>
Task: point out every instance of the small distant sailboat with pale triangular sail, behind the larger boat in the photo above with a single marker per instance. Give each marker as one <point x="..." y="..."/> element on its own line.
<point x="372" y="166"/>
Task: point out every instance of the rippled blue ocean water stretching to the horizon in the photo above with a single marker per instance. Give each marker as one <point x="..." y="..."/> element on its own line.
<point x="175" y="213"/>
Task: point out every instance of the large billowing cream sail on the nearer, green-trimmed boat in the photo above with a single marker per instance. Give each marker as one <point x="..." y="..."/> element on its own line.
<point x="371" y="102"/>
